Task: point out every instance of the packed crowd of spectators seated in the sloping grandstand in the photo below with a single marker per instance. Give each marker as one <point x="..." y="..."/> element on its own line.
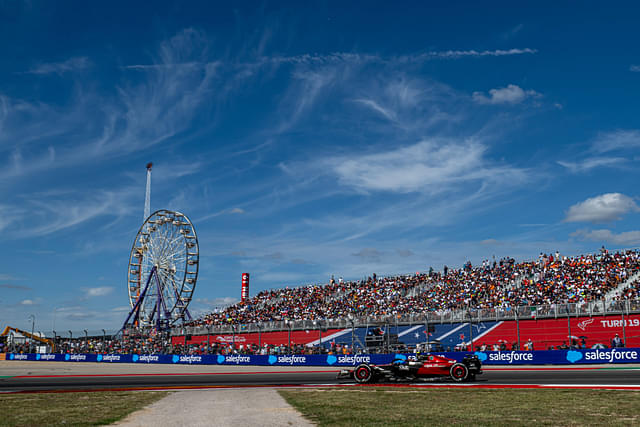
<point x="551" y="279"/>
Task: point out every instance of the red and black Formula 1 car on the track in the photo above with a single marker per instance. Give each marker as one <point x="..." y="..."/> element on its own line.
<point x="416" y="368"/>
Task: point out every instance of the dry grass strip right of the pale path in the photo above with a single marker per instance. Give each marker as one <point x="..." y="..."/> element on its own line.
<point x="374" y="406"/>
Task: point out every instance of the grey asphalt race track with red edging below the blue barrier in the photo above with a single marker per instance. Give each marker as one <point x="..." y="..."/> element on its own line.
<point x="58" y="376"/>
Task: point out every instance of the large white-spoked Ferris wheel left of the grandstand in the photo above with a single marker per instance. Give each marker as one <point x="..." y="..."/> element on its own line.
<point x="163" y="270"/>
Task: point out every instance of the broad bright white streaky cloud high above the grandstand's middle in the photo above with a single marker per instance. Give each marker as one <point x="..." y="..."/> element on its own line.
<point x="430" y="166"/>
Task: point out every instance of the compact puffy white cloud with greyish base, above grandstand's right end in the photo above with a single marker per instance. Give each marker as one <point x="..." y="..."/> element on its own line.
<point x="604" y="208"/>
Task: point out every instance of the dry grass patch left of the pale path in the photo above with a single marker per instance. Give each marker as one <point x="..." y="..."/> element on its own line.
<point x="72" y="409"/>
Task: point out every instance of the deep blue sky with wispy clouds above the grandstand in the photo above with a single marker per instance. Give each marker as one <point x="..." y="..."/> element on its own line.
<point x="306" y="140"/>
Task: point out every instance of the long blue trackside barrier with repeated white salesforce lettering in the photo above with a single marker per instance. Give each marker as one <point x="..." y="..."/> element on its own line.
<point x="551" y="357"/>
